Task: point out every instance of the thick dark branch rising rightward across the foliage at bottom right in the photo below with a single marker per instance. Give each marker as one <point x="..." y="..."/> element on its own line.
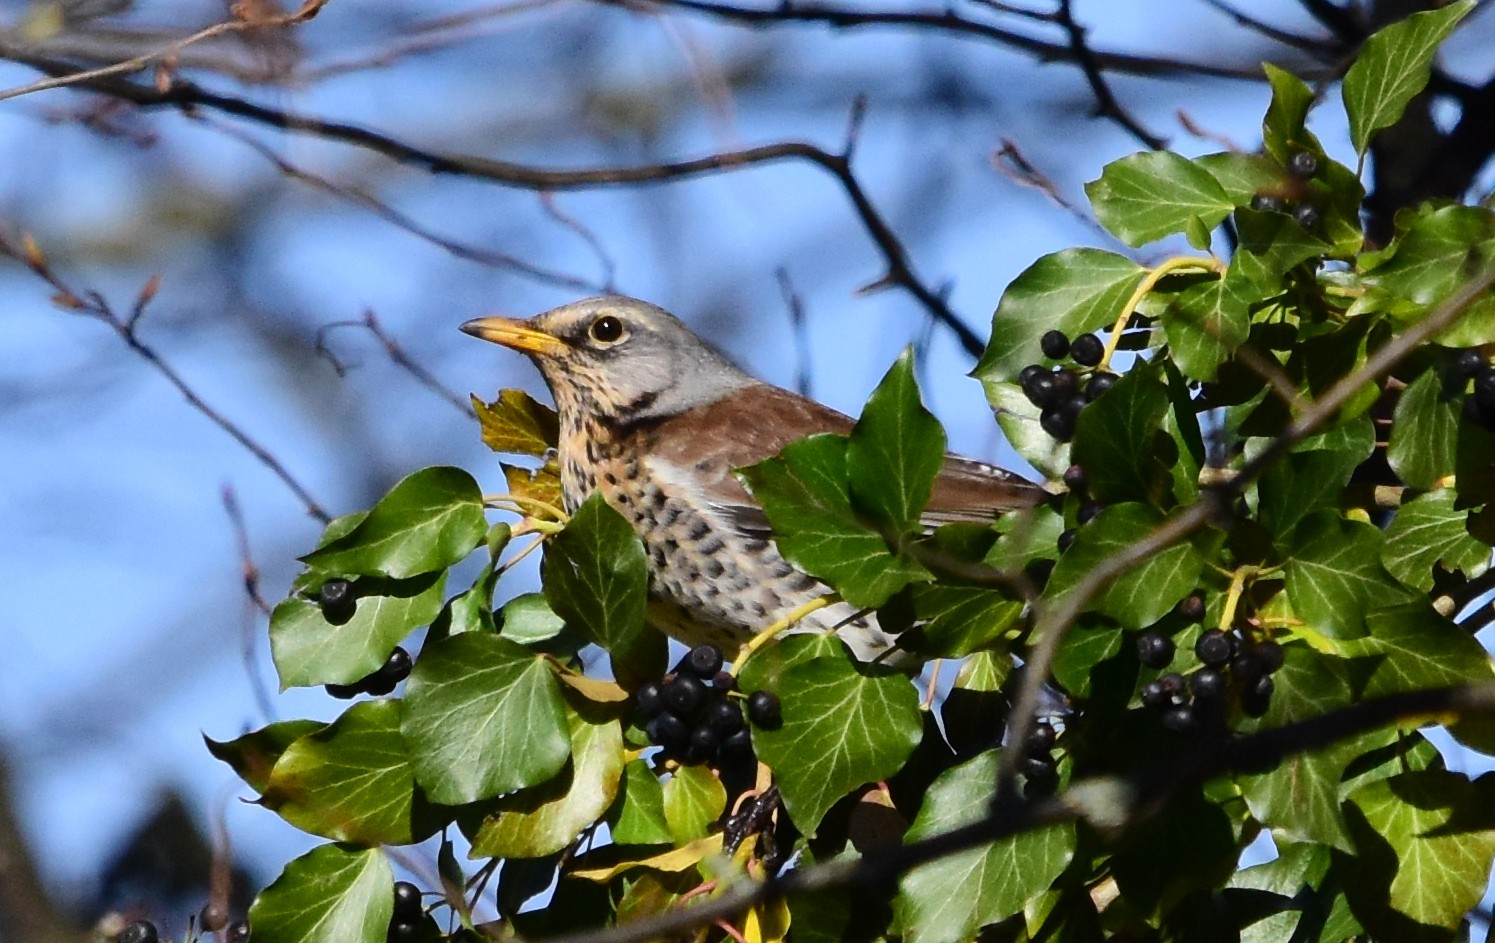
<point x="1109" y="803"/>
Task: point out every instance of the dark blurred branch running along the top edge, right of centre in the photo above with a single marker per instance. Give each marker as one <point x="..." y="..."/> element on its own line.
<point x="947" y="22"/>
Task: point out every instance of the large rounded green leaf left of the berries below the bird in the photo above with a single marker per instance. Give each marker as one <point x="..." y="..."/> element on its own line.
<point x="484" y="717"/>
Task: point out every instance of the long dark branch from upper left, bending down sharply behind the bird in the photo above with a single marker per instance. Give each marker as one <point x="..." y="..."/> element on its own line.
<point x="899" y="268"/>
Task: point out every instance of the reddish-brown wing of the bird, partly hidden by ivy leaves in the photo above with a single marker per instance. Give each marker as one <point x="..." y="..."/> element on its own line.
<point x="765" y="419"/>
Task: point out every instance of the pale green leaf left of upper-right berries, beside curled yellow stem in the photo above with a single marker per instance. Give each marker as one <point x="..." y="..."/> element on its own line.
<point x="1076" y="291"/>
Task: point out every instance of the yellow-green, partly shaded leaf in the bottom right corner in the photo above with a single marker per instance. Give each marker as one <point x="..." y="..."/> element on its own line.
<point x="1424" y="842"/>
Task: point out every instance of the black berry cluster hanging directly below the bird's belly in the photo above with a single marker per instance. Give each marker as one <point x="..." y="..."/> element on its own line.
<point x="693" y="718"/>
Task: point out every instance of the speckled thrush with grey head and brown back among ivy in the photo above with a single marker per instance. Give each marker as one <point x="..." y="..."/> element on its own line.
<point x="657" y="421"/>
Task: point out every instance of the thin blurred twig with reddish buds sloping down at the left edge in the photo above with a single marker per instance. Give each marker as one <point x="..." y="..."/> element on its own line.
<point x="92" y="304"/>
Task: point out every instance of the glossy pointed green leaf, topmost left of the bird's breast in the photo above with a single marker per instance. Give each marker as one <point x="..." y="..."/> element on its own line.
<point x="428" y="522"/>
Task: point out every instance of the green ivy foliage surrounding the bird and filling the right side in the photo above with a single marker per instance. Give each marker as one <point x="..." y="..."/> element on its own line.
<point x="1352" y="552"/>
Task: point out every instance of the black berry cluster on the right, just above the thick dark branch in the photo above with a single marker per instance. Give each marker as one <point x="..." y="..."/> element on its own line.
<point x="1228" y="664"/>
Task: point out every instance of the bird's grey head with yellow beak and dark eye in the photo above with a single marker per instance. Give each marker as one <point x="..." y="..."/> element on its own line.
<point x="617" y="359"/>
